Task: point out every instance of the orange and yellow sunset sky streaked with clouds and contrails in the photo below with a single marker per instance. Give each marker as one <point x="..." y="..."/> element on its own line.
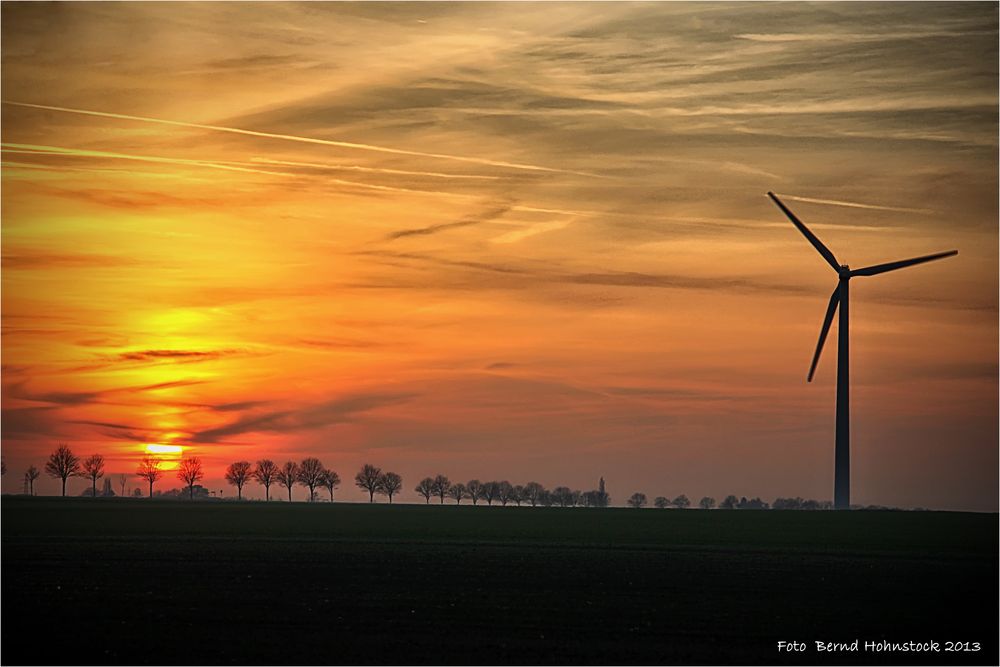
<point x="503" y="241"/>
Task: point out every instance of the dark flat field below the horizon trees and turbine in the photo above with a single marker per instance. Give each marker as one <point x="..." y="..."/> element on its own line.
<point x="144" y="582"/>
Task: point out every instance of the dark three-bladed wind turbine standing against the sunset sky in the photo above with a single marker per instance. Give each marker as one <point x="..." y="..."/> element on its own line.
<point x="842" y="454"/>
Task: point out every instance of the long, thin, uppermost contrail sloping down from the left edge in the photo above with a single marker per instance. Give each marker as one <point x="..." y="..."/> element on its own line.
<point x="307" y="140"/>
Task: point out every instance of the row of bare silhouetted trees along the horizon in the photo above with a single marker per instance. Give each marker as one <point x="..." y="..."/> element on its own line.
<point x="315" y="477"/>
